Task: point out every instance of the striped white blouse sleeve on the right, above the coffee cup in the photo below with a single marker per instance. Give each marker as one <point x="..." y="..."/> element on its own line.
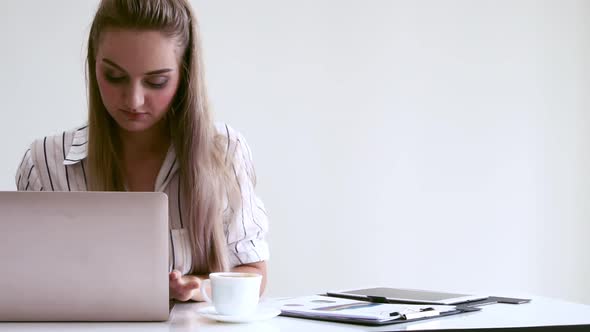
<point x="247" y="227"/>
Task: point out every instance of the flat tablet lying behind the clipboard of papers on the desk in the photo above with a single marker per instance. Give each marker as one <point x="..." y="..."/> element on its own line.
<point x="384" y="294"/>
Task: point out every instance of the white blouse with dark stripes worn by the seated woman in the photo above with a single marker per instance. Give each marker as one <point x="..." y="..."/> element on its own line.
<point x="57" y="163"/>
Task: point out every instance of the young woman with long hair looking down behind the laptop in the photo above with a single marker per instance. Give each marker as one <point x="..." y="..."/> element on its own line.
<point x="149" y="129"/>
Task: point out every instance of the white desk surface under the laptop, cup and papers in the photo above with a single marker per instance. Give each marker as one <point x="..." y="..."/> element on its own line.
<point x="540" y="312"/>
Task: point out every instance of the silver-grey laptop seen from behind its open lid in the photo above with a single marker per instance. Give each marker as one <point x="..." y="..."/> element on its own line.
<point x="83" y="256"/>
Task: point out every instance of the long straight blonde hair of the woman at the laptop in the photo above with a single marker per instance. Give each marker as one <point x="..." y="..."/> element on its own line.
<point x="203" y="170"/>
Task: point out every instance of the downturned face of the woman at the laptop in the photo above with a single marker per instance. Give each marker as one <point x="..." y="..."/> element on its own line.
<point x="138" y="75"/>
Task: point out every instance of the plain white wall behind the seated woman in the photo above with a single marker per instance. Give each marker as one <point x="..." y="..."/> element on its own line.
<point x="427" y="144"/>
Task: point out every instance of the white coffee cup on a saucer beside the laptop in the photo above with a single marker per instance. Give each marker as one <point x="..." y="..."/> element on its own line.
<point x="233" y="293"/>
